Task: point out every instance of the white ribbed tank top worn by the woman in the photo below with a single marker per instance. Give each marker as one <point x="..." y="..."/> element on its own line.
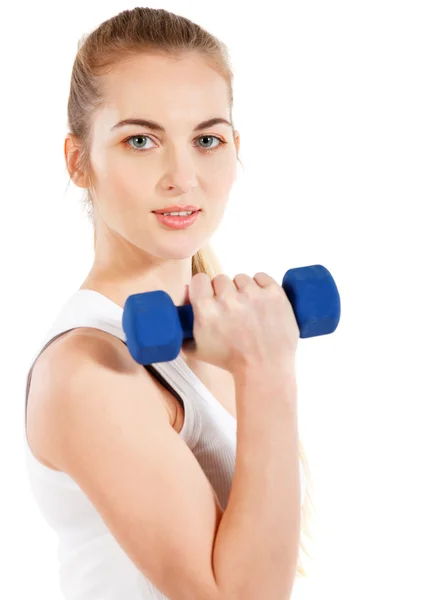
<point x="92" y="564"/>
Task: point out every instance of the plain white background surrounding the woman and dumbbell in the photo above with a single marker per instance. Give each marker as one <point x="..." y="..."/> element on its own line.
<point x="331" y="101"/>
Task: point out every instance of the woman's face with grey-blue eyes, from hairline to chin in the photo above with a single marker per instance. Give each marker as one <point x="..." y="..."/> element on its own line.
<point x="136" y="169"/>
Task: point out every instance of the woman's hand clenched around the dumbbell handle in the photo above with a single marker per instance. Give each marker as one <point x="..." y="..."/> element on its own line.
<point x="240" y="322"/>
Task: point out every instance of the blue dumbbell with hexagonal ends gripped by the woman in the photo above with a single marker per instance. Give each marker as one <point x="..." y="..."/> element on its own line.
<point x="155" y="328"/>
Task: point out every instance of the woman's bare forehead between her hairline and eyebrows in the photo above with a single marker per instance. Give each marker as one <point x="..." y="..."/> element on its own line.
<point x="168" y="90"/>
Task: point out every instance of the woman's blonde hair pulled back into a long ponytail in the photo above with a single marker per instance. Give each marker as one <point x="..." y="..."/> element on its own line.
<point x="155" y="31"/>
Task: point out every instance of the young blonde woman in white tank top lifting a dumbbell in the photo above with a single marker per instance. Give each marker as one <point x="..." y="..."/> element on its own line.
<point x="177" y="480"/>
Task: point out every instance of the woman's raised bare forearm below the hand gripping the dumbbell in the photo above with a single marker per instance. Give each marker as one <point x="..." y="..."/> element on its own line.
<point x="256" y="548"/>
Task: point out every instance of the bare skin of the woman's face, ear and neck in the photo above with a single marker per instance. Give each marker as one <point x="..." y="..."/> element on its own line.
<point x="135" y="253"/>
